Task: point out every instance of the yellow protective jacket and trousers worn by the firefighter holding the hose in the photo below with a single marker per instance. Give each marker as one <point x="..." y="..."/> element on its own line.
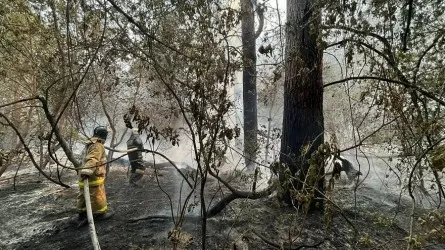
<point x="95" y="158"/>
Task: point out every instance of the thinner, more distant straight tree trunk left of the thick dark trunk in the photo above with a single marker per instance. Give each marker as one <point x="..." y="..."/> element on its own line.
<point x="249" y="82"/>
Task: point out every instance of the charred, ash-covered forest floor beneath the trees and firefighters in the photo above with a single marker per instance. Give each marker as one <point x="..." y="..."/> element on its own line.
<point x="37" y="215"/>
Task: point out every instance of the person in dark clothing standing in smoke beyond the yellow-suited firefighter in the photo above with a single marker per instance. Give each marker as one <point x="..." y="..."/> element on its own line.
<point x="135" y="157"/>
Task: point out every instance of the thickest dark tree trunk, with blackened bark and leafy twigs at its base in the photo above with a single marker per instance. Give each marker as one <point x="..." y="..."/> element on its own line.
<point x="303" y="94"/>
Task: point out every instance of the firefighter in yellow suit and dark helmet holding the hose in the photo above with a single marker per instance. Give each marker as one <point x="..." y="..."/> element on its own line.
<point x="94" y="163"/>
